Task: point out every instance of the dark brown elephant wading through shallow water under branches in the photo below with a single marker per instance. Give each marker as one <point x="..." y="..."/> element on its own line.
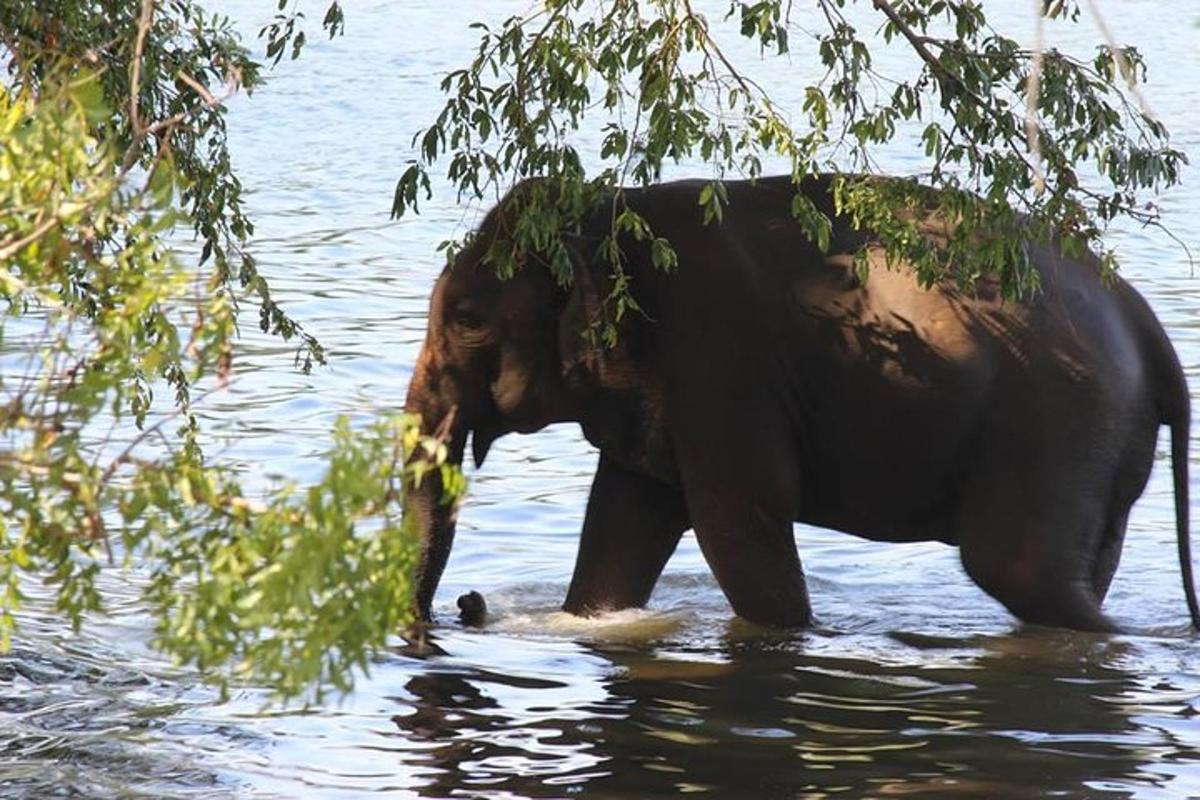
<point x="766" y="383"/>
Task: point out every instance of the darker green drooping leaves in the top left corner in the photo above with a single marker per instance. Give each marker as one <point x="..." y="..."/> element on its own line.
<point x="187" y="59"/>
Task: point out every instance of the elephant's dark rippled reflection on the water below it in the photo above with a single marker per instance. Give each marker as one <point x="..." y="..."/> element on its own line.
<point x="1036" y="714"/>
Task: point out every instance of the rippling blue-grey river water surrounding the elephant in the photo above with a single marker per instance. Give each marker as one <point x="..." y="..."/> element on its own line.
<point x="913" y="684"/>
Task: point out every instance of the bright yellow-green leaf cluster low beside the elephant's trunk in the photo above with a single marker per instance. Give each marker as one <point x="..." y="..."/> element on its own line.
<point x="297" y="592"/>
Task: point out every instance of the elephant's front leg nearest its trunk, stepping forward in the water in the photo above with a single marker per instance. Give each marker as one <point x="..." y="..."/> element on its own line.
<point x="633" y="526"/>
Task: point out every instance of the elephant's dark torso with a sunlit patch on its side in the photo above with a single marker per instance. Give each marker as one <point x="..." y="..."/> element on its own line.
<point x="889" y="389"/>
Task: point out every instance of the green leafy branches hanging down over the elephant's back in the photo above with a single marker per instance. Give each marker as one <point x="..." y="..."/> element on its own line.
<point x="664" y="91"/>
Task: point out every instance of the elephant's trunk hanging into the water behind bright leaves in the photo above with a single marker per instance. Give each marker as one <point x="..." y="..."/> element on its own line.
<point x="425" y="506"/>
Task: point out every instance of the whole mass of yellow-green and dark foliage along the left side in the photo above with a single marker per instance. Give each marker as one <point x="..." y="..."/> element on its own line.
<point x="112" y="142"/>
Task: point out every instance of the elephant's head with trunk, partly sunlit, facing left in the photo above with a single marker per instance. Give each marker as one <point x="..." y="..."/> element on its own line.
<point x="496" y="360"/>
